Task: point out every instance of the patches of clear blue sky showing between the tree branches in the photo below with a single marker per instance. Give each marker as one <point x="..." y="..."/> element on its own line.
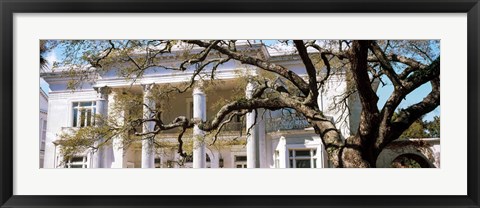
<point x="383" y="92"/>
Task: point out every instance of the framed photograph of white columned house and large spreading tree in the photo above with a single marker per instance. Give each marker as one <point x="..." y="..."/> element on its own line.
<point x="264" y="103"/>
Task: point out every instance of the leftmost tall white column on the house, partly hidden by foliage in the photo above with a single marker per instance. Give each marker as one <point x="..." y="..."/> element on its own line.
<point x="102" y="110"/>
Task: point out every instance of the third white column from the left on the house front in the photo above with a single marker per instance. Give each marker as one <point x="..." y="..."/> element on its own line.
<point x="199" y="112"/>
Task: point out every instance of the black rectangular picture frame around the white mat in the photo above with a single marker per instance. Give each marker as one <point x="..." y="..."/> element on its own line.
<point x="9" y="7"/>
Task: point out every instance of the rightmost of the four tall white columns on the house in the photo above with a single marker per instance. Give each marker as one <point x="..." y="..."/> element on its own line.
<point x="252" y="132"/>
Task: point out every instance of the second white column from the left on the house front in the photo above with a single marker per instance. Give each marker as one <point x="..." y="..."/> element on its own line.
<point x="148" y="153"/>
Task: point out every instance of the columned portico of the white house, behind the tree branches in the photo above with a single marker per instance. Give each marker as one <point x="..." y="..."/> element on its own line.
<point x="114" y="155"/>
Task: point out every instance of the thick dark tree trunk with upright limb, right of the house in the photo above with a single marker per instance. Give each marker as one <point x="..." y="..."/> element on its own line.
<point x="356" y="151"/>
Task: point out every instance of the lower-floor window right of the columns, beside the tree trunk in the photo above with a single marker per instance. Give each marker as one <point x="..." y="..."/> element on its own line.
<point x="302" y="158"/>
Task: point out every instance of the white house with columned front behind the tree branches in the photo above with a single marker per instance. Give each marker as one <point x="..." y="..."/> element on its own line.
<point x="274" y="142"/>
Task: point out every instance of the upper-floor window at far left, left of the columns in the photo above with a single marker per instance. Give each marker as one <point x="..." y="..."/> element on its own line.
<point x="84" y="114"/>
